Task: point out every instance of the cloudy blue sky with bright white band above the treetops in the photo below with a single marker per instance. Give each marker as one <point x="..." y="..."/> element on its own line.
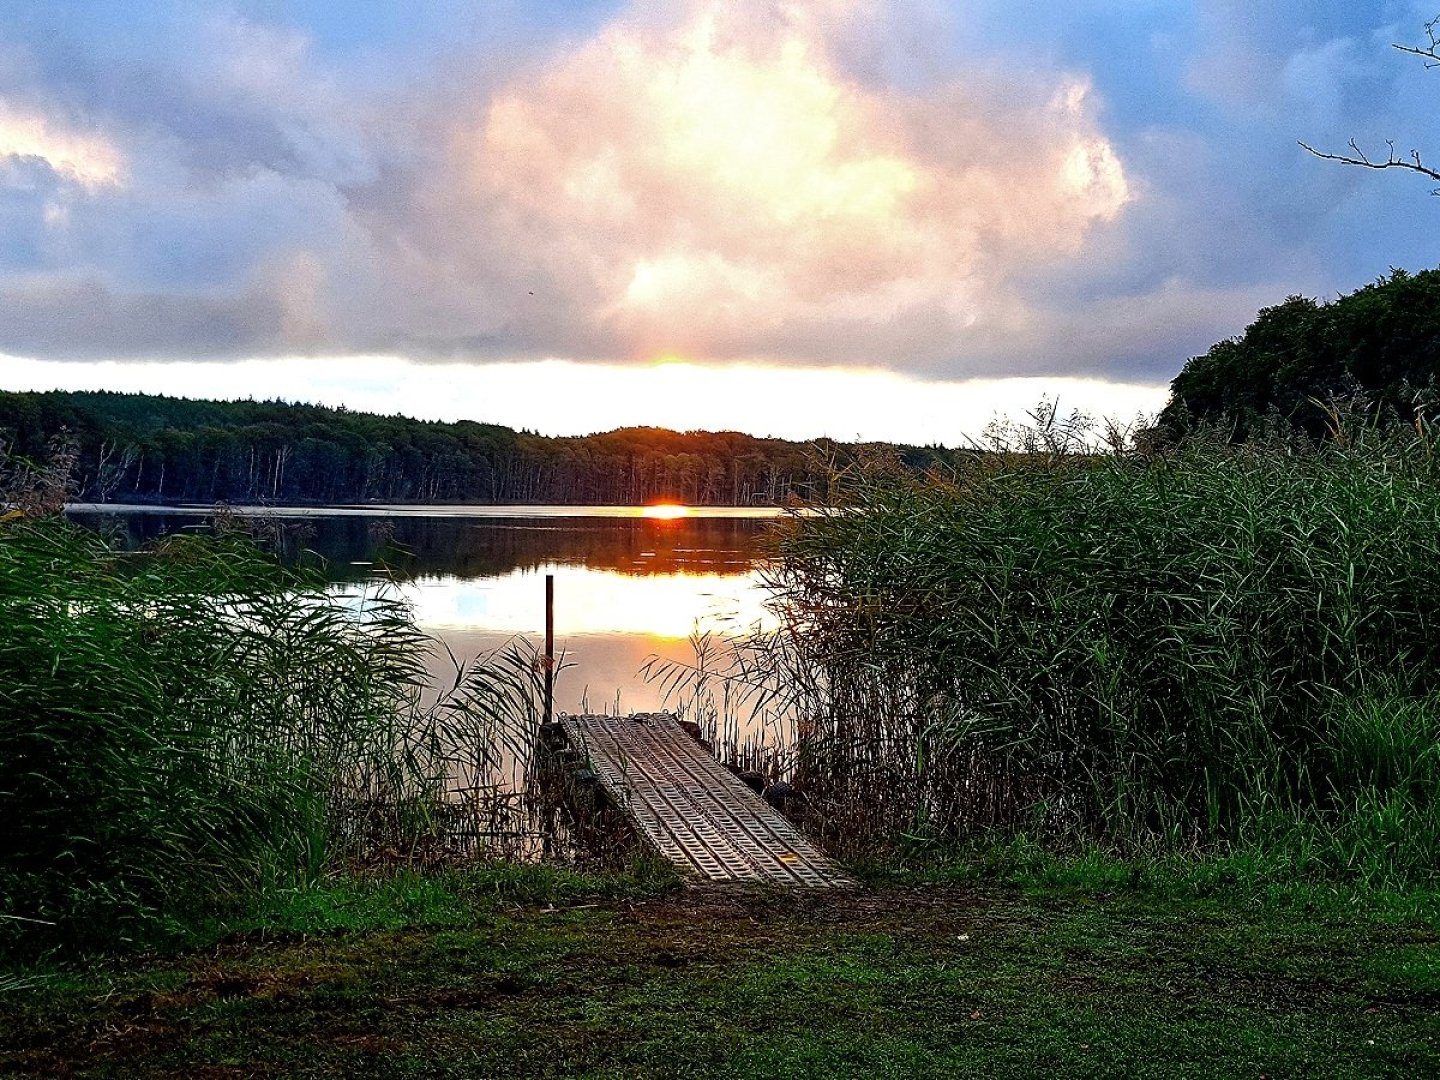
<point x="881" y="220"/>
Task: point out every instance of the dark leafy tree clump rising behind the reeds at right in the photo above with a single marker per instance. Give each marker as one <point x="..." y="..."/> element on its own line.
<point x="1380" y="346"/>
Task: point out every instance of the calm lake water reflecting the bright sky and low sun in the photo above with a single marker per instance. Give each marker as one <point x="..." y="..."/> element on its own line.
<point x="629" y="588"/>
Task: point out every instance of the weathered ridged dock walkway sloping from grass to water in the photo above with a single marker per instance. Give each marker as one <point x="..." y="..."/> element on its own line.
<point x="692" y="809"/>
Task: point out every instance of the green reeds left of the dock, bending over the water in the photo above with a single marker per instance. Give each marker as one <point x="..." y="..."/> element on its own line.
<point x="186" y="726"/>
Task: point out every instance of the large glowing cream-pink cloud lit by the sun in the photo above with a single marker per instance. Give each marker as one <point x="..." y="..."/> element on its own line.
<point x="718" y="186"/>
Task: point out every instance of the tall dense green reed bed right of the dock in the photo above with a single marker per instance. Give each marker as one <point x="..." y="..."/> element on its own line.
<point x="1216" y="646"/>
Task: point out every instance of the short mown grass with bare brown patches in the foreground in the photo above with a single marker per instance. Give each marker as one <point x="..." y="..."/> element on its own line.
<point x="535" y="974"/>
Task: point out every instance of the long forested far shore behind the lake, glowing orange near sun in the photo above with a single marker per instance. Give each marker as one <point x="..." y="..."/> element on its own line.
<point x="145" y="449"/>
